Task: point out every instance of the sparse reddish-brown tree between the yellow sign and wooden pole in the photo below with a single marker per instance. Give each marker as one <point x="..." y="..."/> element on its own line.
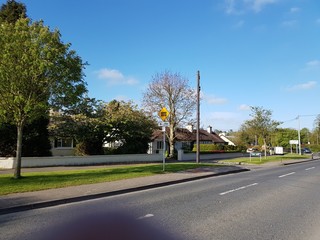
<point x="172" y="91"/>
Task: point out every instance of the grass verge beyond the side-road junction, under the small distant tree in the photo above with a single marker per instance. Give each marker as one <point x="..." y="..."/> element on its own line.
<point x="273" y="158"/>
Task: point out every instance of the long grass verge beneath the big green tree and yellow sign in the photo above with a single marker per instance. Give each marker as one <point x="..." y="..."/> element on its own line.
<point x="48" y="180"/>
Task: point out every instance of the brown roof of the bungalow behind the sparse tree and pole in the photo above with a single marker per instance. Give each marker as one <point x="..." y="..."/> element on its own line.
<point x="184" y="135"/>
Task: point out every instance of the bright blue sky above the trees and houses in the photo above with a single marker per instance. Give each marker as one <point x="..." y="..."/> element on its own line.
<point x="249" y="52"/>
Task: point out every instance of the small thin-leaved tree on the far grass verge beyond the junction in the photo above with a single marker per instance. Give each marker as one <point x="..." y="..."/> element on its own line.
<point x="261" y="124"/>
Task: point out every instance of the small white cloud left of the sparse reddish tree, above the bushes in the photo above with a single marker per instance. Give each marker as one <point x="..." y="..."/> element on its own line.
<point x="115" y="77"/>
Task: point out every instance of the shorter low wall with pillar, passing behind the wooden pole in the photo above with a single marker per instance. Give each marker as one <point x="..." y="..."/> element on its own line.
<point x="214" y="156"/>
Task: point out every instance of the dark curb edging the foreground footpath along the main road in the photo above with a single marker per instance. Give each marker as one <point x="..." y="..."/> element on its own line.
<point x="52" y="203"/>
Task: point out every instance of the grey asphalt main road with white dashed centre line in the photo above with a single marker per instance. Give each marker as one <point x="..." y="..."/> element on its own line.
<point x="273" y="203"/>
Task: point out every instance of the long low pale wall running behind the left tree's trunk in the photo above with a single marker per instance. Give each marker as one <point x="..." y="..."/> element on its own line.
<point x="8" y="163"/>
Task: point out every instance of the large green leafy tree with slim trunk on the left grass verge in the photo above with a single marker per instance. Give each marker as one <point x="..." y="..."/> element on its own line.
<point x="37" y="71"/>
